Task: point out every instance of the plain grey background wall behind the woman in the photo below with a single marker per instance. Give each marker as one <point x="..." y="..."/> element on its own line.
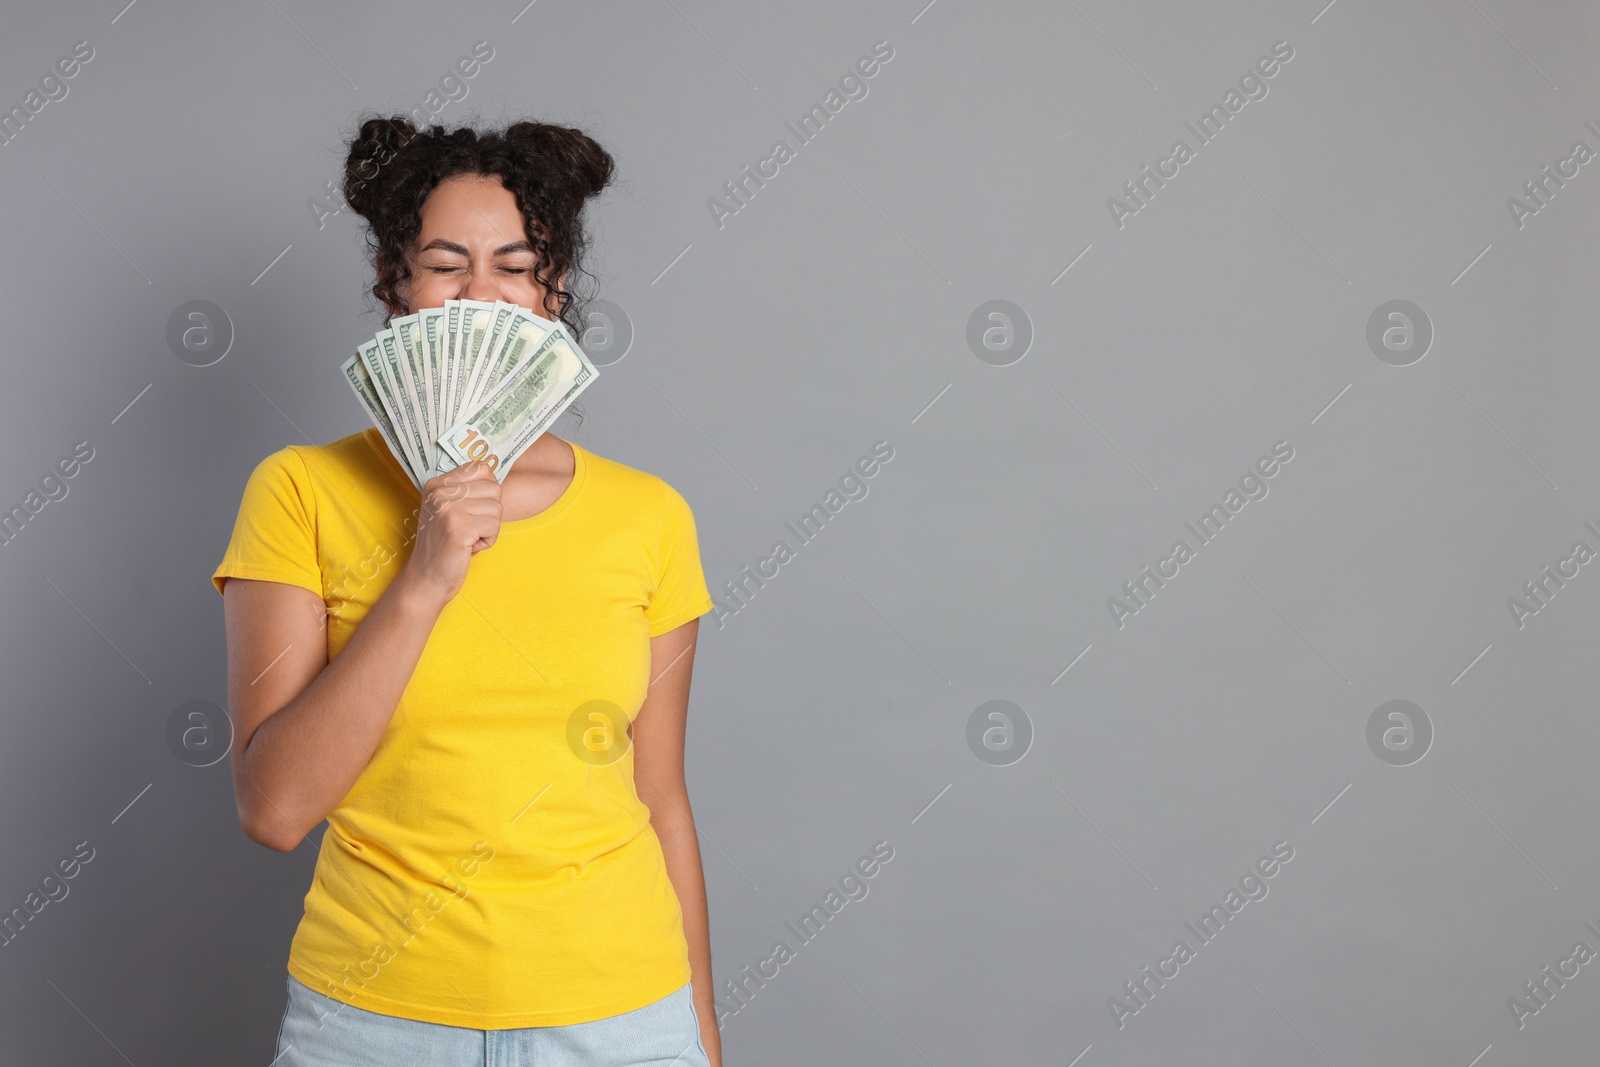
<point x="831" y="713"/>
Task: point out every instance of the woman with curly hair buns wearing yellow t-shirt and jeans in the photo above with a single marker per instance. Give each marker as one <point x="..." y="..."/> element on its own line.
<point x="468" y="682"/>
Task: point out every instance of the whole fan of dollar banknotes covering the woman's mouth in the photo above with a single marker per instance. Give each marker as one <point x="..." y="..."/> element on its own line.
<point x="466" y="382"/>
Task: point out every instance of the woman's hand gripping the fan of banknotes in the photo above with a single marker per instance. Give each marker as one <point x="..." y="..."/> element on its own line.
<point x="460" y="518"/>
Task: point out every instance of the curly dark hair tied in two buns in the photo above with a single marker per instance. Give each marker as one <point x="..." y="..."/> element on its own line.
<point x="553" y="172"/>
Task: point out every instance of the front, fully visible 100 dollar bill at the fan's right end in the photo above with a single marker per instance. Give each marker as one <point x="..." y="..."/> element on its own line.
<point x="522" y="406"/>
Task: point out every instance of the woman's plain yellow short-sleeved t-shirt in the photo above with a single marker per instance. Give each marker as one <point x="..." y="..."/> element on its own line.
<point x="494" y="866"/>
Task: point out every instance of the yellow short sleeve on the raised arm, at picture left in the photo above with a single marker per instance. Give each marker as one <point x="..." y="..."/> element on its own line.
<point x="276" y="530"/>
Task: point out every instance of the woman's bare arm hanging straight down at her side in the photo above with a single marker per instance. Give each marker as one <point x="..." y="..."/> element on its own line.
<point x="658" y="777"/>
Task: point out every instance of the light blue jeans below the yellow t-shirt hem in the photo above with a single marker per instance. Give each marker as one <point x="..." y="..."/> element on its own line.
<point x="319" y="1031"/>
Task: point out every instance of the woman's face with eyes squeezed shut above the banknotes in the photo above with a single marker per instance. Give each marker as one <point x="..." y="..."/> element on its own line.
<point x="473" y="247"/>
